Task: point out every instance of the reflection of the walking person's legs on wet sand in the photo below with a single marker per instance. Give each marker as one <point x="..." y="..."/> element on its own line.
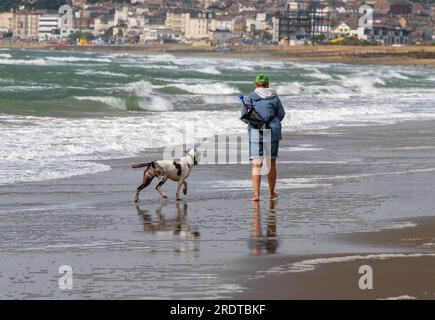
<point x="258" y="241"/>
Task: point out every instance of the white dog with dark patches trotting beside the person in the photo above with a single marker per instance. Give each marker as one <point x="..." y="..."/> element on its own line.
<point x="176" y="170"/>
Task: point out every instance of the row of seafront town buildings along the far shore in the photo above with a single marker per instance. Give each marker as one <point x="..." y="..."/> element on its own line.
<point x="223" y="22"/>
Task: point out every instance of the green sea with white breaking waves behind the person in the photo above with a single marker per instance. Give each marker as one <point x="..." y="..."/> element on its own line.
<point x="60" y="112"/>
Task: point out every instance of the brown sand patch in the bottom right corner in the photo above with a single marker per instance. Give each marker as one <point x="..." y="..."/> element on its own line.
<point x="406" y="271"/>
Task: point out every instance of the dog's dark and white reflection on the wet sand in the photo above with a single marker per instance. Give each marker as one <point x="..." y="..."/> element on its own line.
<point x="176" y="226"/>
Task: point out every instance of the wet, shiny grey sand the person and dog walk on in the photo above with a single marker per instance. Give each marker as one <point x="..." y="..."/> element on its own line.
<point x="343" y="191"/>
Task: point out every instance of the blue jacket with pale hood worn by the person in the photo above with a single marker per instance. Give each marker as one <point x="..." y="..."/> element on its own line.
<point x="268" y="105"/>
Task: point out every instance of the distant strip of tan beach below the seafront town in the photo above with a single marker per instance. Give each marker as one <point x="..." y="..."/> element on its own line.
<point x="372" y="55"/>
